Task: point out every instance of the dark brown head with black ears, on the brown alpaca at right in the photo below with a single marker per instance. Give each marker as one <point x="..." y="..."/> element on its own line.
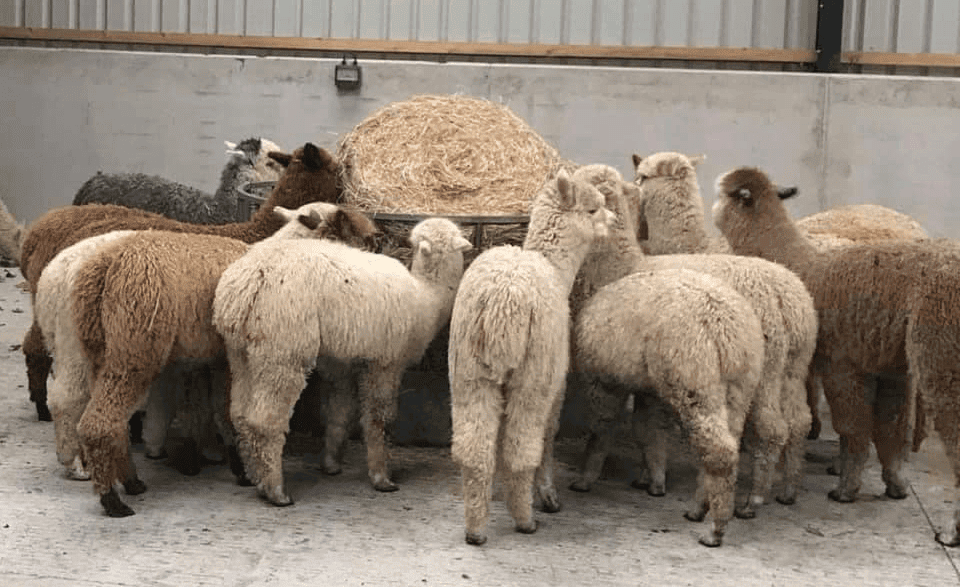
<point x="746" y="198"/>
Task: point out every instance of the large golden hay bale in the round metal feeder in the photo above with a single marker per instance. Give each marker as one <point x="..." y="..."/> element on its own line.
<point x="445" y="155"/>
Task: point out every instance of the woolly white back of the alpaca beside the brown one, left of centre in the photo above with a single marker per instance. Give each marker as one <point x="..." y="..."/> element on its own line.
<point x="318" y="288"/>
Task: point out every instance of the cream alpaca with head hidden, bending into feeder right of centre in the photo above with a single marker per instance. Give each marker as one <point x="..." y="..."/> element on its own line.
<point x="699" y="344"/>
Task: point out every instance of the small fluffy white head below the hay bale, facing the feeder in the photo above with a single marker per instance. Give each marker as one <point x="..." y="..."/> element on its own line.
<point x="438" y="247"/>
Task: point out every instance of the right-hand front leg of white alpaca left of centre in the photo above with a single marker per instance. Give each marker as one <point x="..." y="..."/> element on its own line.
<point x="379" y="387"/>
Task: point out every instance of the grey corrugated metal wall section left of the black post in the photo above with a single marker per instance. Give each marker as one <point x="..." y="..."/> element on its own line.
<point x="702" y="23"/>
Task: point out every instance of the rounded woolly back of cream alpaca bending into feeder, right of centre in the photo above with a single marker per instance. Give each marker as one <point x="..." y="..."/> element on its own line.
<point x="677" y="327"/>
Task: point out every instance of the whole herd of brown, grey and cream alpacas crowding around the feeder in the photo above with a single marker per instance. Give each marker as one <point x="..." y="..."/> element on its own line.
<point x="618" y="288"/>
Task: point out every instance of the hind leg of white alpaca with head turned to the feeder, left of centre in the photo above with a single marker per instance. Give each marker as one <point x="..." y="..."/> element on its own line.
<point x="266" y="391"/>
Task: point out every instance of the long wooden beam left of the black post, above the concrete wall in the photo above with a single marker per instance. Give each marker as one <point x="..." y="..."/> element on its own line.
<point x="413" y="47"/>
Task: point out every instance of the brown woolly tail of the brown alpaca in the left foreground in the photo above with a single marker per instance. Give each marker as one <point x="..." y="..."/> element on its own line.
<point x="87" y="301"/>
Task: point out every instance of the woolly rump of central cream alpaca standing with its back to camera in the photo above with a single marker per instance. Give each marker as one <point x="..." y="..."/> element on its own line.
<point x="531" y="315"/>
